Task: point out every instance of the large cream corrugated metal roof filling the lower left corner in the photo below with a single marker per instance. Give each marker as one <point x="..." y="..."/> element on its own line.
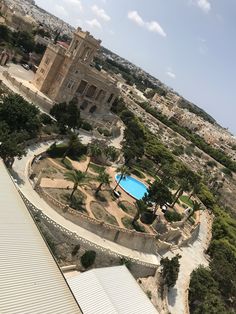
<point x="30" y="280"/>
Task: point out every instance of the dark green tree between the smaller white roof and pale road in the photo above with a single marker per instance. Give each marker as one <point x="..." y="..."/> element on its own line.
<point x="170" y="270"/>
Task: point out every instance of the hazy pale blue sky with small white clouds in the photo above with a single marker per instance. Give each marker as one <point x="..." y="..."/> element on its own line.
<point x="188" y="44"/>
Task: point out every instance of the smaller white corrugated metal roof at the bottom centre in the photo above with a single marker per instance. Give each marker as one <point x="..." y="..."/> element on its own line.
<point x="110" y="290"/>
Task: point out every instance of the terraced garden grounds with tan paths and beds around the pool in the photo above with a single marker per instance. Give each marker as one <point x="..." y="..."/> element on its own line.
<point x="102" y="205"/>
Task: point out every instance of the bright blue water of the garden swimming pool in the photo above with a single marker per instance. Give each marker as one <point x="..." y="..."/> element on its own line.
<point x="132" y="186"/>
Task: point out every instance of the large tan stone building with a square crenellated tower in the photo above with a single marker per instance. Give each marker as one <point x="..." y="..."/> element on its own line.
<point x="65" y="73"/>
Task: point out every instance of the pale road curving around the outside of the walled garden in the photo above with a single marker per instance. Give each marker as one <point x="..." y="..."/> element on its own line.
<point x="192" y="256"/>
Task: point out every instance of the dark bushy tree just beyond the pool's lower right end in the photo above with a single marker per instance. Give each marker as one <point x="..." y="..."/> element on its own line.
<point x="159" y="194"/>
